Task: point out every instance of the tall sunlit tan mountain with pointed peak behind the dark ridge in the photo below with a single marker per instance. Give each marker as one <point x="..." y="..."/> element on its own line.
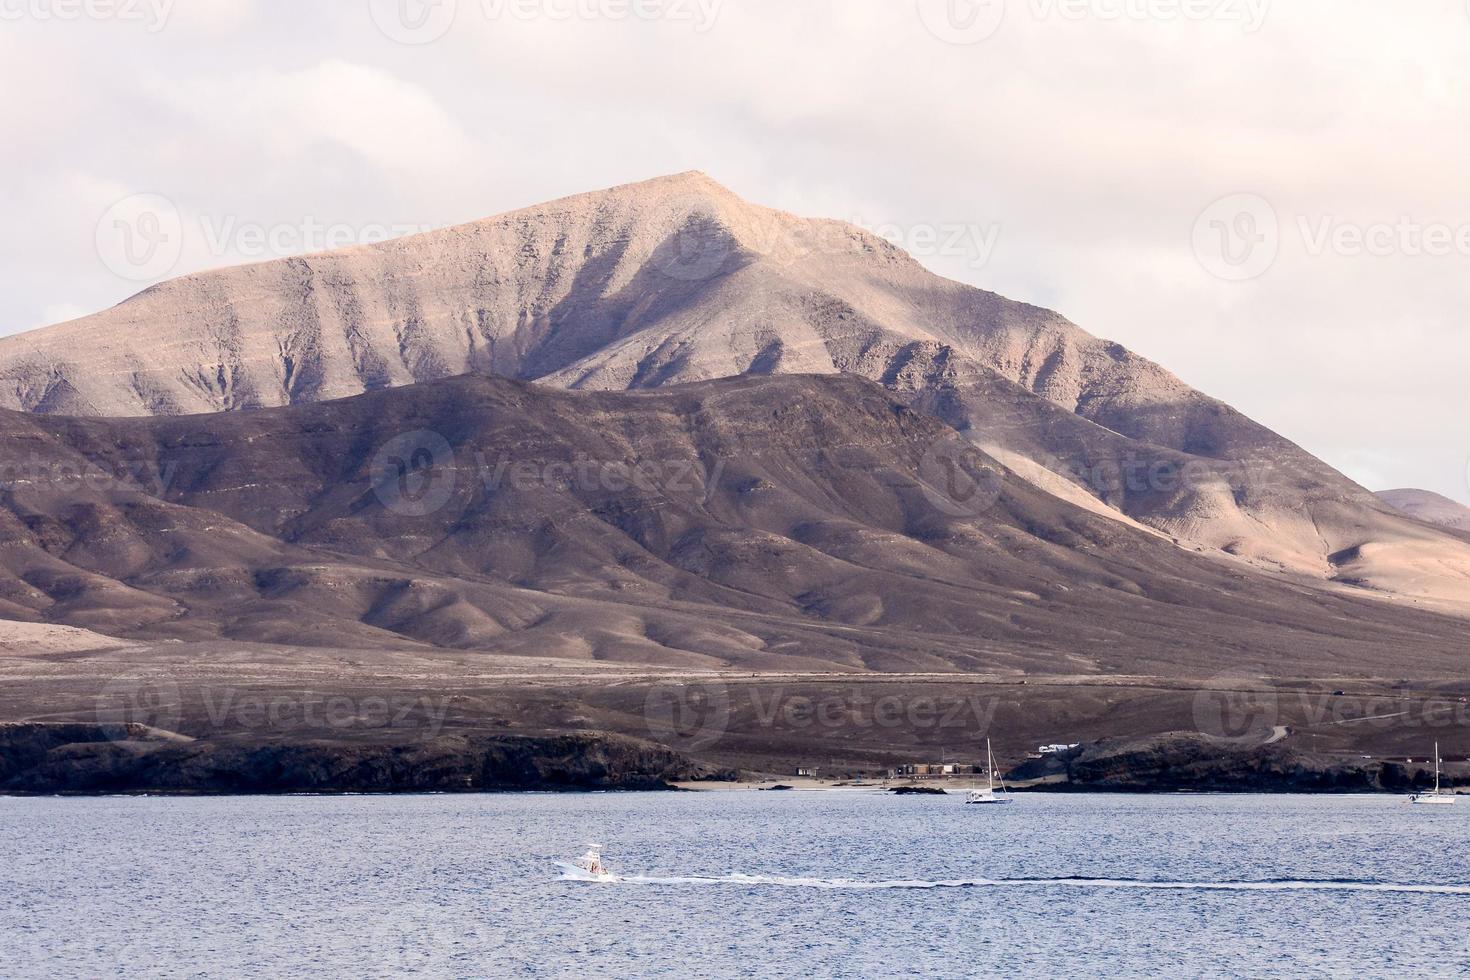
<point x="675" y="281"/>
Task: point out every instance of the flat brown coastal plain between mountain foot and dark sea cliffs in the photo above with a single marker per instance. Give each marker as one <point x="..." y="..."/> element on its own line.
<point x="765" y="725"/>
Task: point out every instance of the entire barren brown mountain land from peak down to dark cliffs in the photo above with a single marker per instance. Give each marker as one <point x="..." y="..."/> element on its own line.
<point x="664" y="464"/>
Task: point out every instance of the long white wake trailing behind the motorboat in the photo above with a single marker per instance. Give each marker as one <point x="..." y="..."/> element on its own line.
<point x="1283" y="885"/>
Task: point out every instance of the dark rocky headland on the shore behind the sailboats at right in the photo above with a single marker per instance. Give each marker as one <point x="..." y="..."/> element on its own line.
<point x="1199" y="763"/>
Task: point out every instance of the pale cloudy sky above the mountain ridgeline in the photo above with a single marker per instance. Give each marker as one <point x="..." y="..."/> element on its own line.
<point x="1266" y="198"/>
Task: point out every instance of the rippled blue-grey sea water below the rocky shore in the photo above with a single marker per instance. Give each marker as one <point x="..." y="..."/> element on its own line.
<point x="734" y="884"/>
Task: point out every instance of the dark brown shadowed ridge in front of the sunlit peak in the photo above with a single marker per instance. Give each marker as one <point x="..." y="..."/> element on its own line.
<point x="759" y="522"/>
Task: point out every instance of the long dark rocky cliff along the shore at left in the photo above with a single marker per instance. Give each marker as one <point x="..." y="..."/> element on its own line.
<point x="132" y="759"/>
